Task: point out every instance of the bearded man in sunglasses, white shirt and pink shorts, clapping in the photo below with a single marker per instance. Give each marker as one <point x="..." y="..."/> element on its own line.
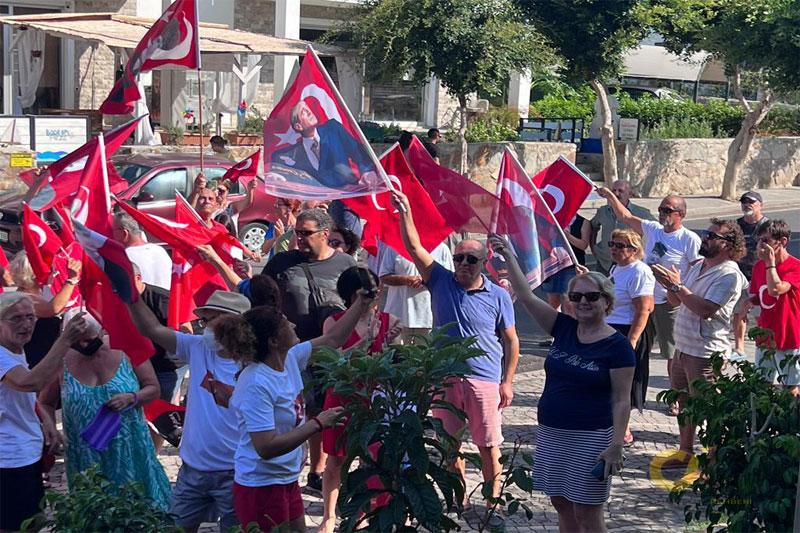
<point x="706" y="296"/>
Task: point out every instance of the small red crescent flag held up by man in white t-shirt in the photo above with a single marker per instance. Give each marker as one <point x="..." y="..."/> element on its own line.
<point x="564" y="188"/>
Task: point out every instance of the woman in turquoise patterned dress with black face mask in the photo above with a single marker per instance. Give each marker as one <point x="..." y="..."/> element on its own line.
<point x="96" y="376"/>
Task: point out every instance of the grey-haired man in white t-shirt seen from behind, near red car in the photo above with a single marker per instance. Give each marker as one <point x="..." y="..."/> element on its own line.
<point x="153" y="261"/>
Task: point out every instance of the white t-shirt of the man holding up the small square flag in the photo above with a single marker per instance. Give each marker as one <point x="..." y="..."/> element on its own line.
<point x="678" y="248"/>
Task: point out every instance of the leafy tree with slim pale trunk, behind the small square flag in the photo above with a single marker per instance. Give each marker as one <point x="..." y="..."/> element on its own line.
<point x="592" y="36"/>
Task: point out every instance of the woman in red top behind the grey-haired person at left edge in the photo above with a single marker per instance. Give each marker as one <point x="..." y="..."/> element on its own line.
<point x="47" y="306"/>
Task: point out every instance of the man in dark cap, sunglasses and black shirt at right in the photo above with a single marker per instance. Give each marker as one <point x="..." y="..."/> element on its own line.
<point x="750" y="223"/>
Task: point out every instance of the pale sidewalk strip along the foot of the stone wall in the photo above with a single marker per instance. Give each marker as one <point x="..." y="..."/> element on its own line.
<point x="707" y="206"/>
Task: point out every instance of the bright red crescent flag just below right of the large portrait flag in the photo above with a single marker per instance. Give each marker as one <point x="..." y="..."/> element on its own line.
<point x="383" y="221"/>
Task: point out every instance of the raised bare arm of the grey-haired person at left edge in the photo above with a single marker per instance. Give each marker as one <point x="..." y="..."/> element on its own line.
<point x="21" y="379"/>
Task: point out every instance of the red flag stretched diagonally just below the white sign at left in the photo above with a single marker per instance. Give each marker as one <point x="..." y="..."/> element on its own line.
<point x="65" y="174"/>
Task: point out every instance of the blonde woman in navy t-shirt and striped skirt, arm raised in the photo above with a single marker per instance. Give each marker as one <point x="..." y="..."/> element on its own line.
<point x="586" y="402"/>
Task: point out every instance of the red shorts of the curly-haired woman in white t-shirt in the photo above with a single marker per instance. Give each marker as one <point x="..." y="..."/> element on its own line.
<point x="268" y="506"/>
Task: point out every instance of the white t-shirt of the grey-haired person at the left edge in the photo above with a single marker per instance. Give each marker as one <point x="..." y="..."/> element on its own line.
<point x="21" y="437"/>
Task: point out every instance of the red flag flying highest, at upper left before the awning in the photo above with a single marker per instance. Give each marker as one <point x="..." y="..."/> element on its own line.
<point x="171" y="40"/>
